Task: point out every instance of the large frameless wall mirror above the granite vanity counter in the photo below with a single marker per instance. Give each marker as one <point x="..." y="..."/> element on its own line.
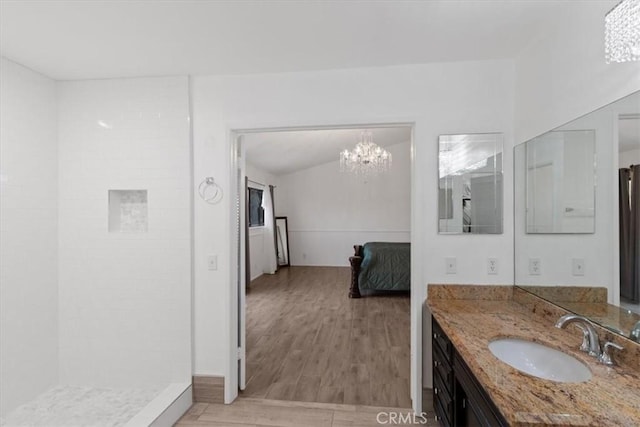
<point x="593" y="268"/>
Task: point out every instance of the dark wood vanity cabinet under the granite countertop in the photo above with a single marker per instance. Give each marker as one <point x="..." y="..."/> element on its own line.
<point x="458" y="399"/>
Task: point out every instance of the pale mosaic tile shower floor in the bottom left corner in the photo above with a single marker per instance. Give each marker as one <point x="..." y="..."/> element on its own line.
<point x="70" y="406"/>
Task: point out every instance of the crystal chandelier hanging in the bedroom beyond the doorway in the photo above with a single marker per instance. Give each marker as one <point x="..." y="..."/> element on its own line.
<point x="366" y="158"/>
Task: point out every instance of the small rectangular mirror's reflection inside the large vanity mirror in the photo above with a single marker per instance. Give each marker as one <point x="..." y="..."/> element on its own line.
<point x="560" y="182"/>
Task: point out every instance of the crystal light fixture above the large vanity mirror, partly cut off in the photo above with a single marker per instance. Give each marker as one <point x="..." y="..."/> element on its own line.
<point x="622" y="32"/>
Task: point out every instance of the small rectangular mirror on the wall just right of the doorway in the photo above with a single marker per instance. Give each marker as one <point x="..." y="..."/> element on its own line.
<point x="470" y="184"/>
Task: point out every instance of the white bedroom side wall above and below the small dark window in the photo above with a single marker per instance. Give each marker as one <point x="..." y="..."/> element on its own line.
<point x="257" y="239"/>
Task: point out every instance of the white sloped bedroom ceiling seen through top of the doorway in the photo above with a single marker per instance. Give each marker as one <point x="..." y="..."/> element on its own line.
<point x="280" y="153"/>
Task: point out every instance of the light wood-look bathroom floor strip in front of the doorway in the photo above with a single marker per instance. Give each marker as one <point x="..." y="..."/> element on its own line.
<point x="250" y="412"/>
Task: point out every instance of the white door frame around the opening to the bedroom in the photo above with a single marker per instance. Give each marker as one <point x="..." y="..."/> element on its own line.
<point x="237" y="283"/>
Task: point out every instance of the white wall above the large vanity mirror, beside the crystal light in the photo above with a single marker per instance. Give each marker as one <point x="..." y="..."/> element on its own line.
<point x="562" y="75"/>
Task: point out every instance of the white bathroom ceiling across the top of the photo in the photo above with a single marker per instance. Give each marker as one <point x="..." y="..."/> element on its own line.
<point x="86" y="39"/>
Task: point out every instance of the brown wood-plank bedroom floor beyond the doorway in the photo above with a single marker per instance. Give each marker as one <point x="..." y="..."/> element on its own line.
<point x="307" y="341"/>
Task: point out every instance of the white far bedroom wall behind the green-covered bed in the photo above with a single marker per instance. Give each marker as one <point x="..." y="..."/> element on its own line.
<point x="329" y="211"/>
